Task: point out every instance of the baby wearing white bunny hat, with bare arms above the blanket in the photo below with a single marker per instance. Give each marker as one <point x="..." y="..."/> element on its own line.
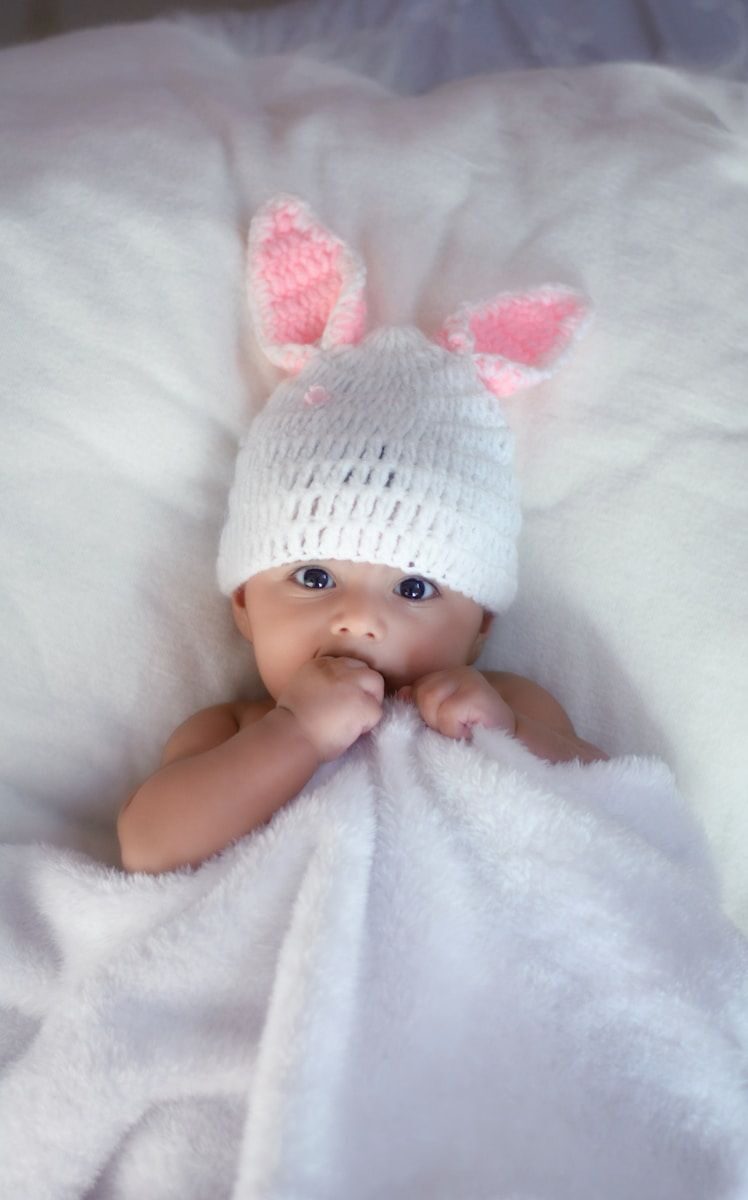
<point x="370" y="542"/>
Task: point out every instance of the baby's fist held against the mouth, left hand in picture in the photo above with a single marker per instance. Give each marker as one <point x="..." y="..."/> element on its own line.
<point x="334" y="701"/>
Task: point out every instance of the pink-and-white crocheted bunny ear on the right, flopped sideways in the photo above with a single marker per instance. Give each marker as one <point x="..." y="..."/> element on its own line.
<point x="516" y="339"/>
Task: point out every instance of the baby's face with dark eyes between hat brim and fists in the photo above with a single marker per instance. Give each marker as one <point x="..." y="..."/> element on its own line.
<point x="399" y="623"/>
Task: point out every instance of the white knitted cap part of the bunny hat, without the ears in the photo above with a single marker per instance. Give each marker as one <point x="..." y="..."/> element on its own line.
<point x="388" y="453"/>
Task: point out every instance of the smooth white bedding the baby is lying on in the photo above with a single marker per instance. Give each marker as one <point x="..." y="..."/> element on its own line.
<point x="131" y="161"/>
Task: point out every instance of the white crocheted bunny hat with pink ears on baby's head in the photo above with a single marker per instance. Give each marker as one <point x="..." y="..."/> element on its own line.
<point x="391" y="449"/>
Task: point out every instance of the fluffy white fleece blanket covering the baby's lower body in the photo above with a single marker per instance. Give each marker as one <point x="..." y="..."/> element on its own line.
<point x="444" y="971"/>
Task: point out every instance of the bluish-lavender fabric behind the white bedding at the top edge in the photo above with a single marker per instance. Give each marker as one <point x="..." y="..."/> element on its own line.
<point x="414" y="45"/>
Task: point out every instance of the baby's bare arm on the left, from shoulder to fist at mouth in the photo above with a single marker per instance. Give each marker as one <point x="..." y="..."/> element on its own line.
<point x="219" y="781"/>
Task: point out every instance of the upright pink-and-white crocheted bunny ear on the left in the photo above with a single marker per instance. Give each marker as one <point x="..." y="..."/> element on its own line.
<point x="306" y="286"/>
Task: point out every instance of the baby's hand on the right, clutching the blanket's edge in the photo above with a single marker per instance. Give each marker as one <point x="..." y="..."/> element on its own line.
<point x="453" y="701"/>
